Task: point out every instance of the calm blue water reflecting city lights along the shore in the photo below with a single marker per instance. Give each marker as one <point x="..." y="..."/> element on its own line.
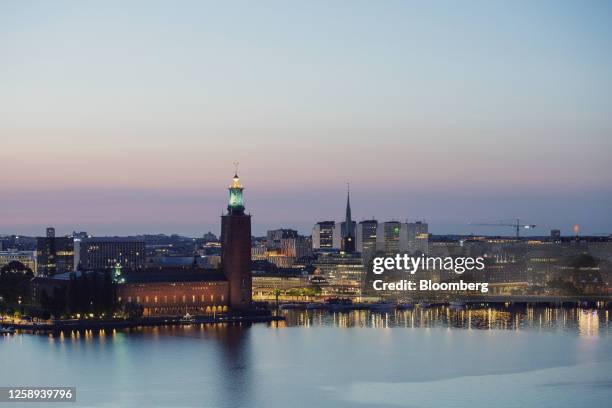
<point x="422" y="358"/>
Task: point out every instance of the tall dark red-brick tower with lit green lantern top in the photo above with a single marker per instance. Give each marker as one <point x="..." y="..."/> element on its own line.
<point x="236" y="248"/>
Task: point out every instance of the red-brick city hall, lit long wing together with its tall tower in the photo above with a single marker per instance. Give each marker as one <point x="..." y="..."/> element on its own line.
<point x="199" y="291"/>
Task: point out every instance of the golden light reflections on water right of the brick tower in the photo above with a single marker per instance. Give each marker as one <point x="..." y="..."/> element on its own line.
<point x="586" y="322"/>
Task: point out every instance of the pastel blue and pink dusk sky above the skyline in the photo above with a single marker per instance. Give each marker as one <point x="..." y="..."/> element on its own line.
<point x="126" y="117"/>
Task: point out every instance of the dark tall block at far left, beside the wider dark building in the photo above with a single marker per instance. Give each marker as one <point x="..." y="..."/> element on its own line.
<point x="54" y="255"/>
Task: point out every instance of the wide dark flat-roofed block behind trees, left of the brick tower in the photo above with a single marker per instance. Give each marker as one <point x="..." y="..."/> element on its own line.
<point x="102" y="253"/>
